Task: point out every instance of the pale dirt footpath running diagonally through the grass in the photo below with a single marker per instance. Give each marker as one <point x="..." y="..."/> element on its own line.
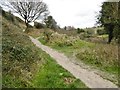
<point x="91" y="79"/>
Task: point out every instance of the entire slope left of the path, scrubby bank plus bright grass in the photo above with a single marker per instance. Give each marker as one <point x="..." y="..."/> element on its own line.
<point x="24" y="65"/>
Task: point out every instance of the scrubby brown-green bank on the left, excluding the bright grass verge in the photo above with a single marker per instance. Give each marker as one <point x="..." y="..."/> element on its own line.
<point x="18" y="53"/>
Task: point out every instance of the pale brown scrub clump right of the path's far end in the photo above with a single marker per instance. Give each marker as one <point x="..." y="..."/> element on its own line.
<point x="60" y="40"/>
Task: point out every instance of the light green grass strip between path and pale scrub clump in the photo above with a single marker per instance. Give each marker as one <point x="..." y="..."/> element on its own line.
<point x="69" y="50"/>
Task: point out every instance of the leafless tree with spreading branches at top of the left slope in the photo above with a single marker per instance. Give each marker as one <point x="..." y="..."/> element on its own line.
<point x="28" y="10"/>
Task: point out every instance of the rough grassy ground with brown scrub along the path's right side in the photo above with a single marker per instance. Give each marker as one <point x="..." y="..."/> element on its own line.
<point x="99" y="56"/>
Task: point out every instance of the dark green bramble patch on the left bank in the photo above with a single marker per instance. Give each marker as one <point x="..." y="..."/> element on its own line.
<point x="17" y="52"/>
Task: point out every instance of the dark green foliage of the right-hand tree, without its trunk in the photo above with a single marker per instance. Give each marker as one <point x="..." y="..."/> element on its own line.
<point x="109" y="13"/>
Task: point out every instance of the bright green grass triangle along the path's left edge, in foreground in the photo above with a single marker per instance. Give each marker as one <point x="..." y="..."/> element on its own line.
<point x="51" y="75"/>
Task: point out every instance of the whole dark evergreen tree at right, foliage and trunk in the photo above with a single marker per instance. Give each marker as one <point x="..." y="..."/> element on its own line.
<point x="109" y="18"/>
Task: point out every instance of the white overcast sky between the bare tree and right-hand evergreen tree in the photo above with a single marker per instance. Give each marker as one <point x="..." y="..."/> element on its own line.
<point x="77" y="13"/>
